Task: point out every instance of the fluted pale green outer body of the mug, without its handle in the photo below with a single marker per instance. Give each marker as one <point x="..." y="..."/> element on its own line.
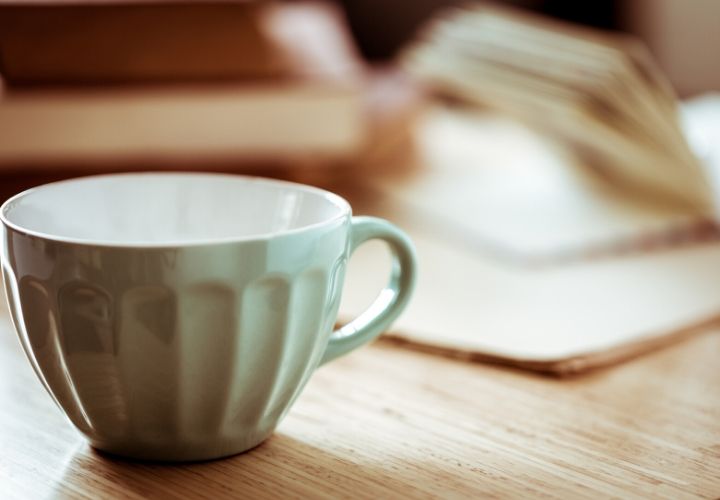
<point x="177" y="350"/>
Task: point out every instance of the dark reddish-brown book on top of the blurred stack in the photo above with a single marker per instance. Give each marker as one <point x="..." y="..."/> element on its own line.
<point x="120" y="41"/>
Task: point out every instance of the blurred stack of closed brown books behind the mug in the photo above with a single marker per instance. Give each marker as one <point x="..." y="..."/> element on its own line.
<point x="158" y="83"/>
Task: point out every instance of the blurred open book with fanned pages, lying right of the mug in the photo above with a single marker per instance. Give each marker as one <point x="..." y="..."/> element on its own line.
<point x="528" y="256"/>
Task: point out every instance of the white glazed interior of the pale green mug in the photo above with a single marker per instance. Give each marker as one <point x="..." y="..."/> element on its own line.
<point x="169" y="209"/>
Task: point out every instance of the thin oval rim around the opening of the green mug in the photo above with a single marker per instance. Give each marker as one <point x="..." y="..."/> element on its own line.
<point x="345" y="210"/>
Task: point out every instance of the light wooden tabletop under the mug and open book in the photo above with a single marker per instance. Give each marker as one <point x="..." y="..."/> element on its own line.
<point x="388" y="422"/>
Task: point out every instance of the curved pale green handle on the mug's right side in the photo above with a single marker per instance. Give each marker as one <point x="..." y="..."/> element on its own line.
<point x="391" y="300"/>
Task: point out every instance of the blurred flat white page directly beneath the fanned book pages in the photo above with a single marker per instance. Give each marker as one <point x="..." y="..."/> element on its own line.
<point x="487" y="179"/>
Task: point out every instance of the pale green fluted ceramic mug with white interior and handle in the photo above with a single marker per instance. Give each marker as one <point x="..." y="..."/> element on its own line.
<point x="179" y="316"/>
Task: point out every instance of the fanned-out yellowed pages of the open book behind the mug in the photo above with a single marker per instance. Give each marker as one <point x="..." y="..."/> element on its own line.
<point x="599" y="94"/>
